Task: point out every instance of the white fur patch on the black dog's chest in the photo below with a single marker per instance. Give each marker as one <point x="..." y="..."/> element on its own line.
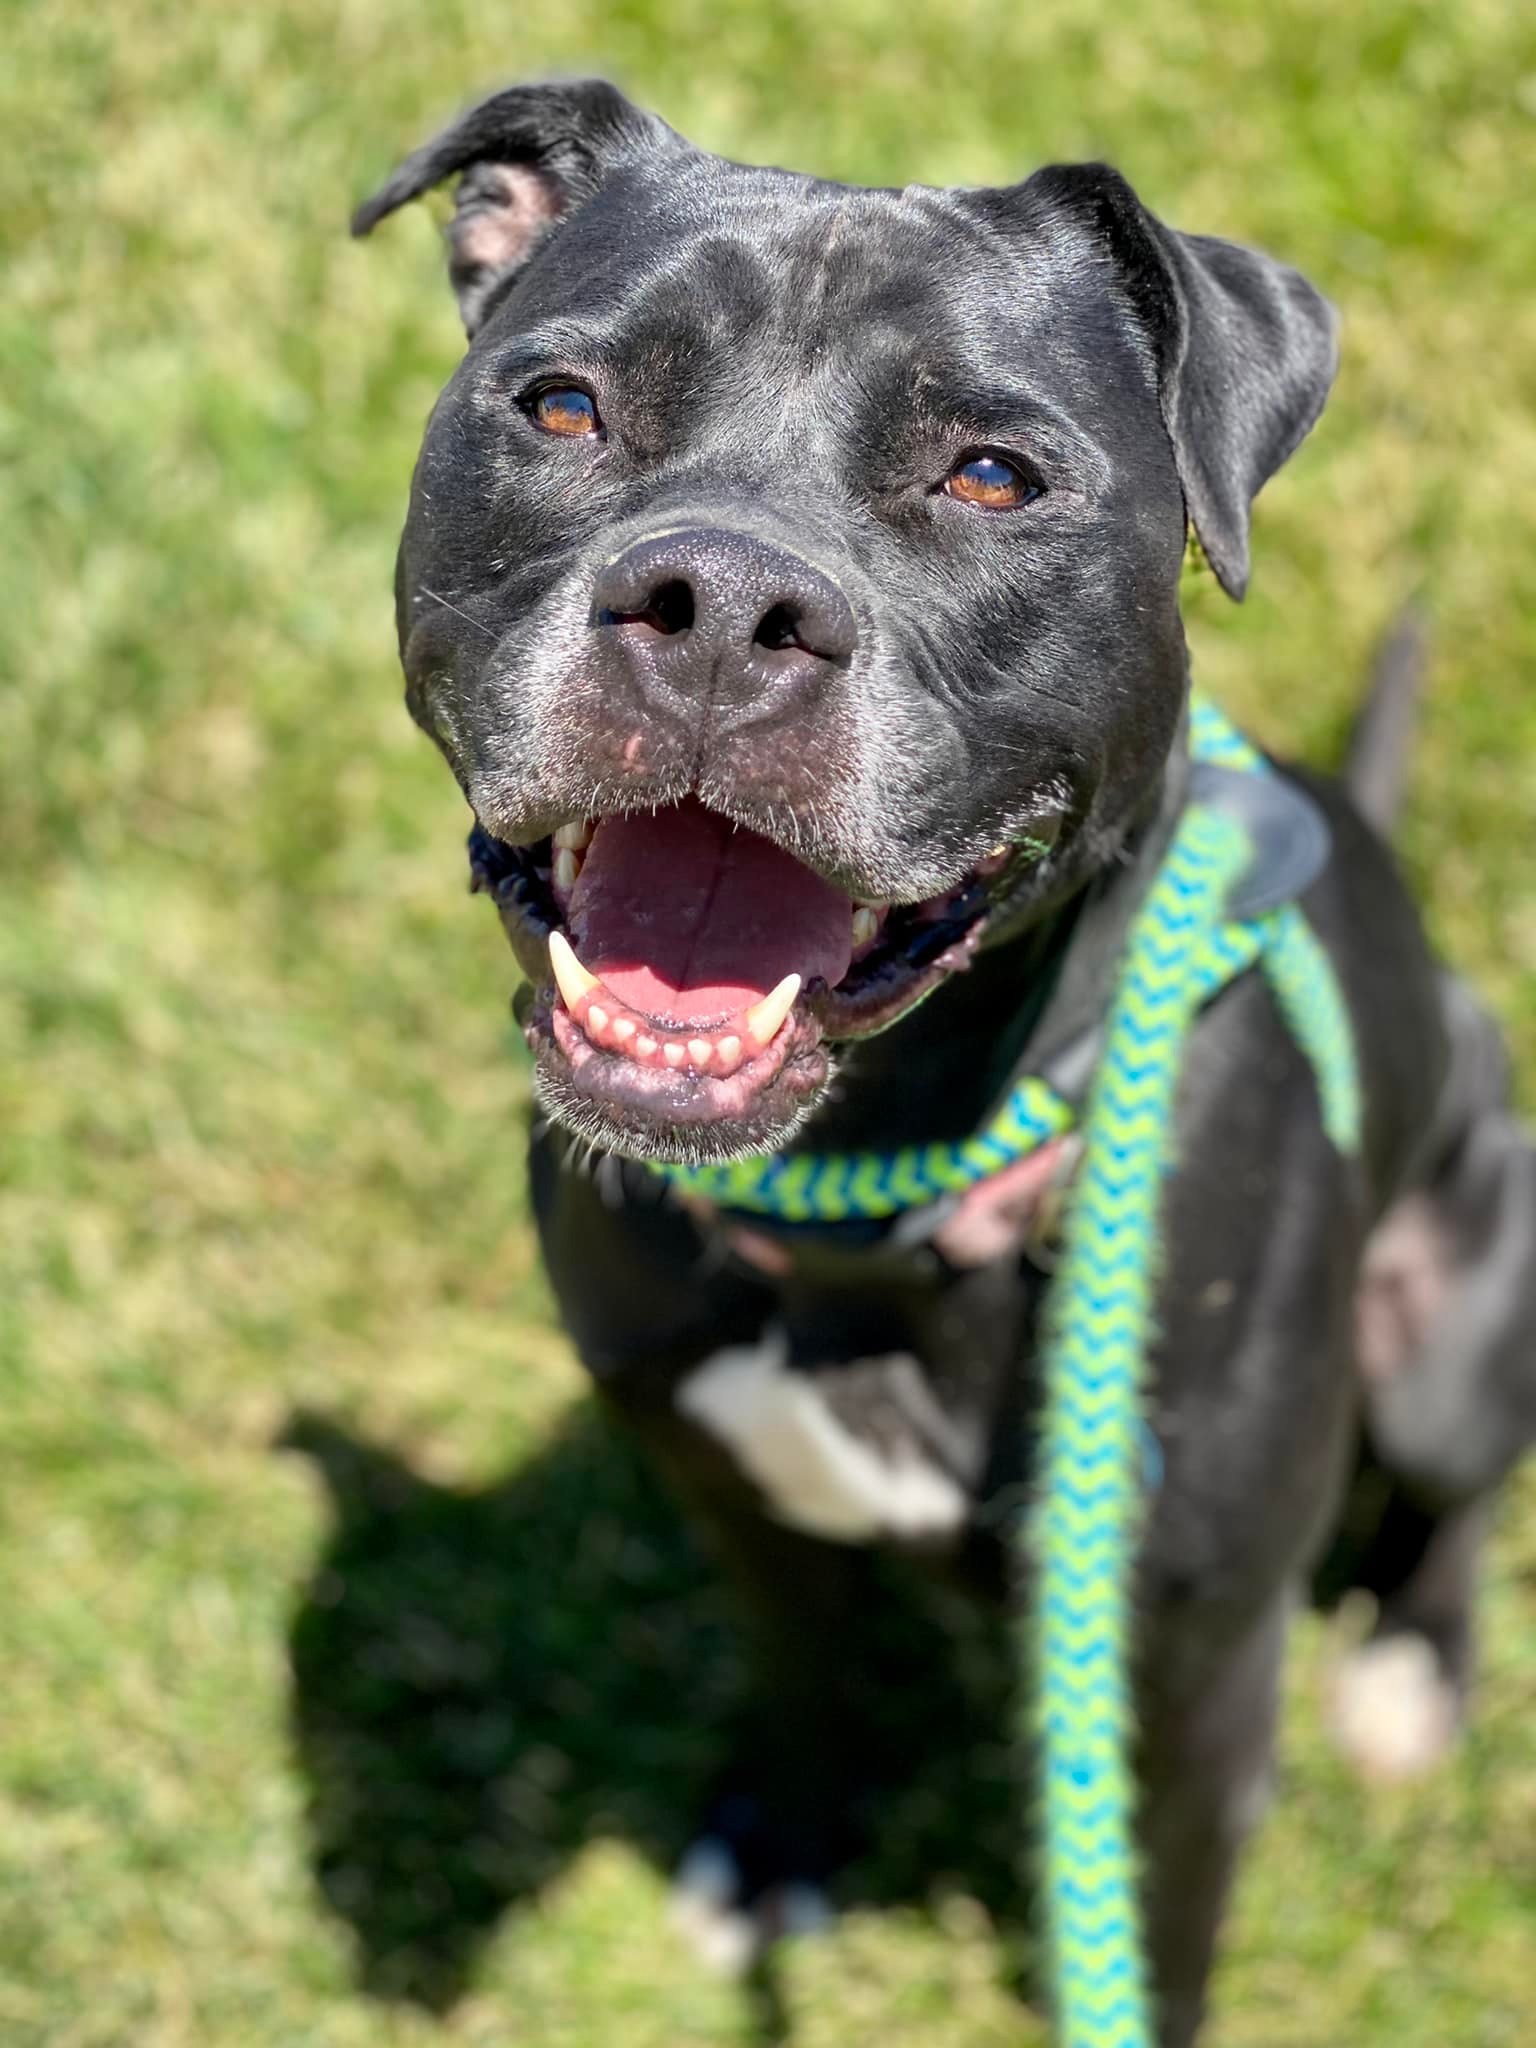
<point x="810" y="1467"/>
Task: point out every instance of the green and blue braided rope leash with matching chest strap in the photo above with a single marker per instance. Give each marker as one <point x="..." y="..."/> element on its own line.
<point x="1220" y="904"/>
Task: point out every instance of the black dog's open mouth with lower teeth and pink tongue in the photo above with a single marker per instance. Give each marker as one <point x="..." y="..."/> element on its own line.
<point x="687" y="974"/>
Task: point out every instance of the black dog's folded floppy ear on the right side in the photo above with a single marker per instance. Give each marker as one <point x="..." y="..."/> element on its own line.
<point x="1246" y="351"/>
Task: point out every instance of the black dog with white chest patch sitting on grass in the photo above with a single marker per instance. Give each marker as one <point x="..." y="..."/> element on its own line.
<point x="792" y="583"/>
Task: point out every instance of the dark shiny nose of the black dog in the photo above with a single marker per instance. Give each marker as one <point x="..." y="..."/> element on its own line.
<point x="726" y="615"/>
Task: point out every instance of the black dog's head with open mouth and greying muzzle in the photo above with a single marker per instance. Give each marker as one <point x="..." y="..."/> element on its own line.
<point x="792" y="579"/>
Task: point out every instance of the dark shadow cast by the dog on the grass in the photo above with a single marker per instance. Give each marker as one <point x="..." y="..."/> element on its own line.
<point x="486" y="1682"/>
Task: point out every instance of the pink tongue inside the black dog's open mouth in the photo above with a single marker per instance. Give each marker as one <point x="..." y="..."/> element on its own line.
<point x="691" y="919"/>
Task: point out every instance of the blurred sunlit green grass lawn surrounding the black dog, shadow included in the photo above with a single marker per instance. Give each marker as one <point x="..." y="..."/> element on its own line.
<point x="378" y="1738"/>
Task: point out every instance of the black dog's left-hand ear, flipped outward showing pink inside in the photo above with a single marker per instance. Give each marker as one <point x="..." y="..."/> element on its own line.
<point x="529" y="157"/>
